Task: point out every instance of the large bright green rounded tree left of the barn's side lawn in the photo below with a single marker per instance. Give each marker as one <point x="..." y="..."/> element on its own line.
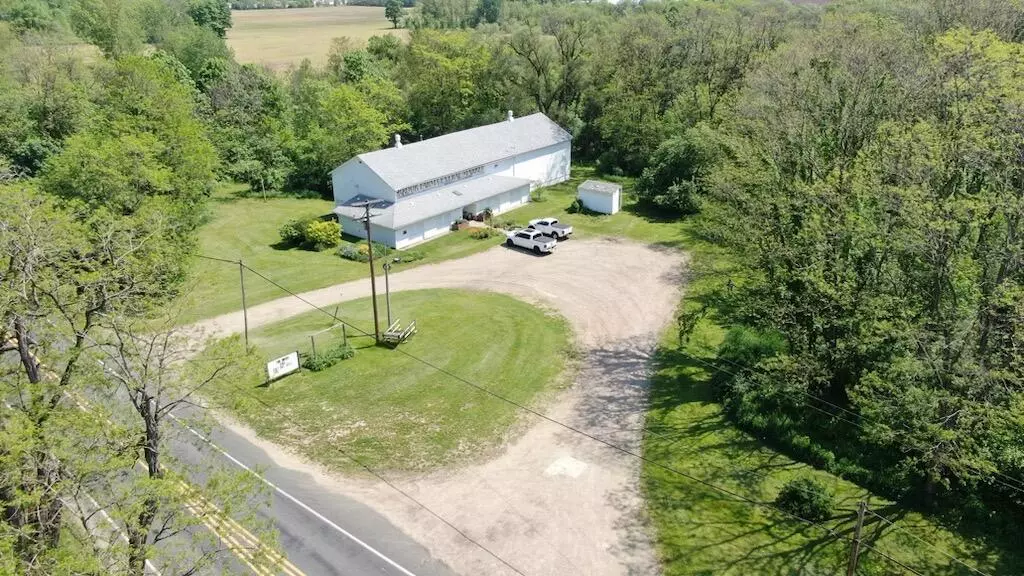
<point x="146" y="143"/>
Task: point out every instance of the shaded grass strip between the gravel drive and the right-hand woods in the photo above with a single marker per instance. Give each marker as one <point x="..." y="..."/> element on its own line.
<point x="702" y="531"/>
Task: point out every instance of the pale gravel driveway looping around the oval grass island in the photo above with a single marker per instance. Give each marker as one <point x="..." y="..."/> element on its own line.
<point x="553" y="503"/>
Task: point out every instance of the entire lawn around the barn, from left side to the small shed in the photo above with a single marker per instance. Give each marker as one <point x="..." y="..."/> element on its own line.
<point x="247" y="229"/>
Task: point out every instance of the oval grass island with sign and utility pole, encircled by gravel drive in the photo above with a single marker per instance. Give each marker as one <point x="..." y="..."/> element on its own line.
<point x="390" y="410"/>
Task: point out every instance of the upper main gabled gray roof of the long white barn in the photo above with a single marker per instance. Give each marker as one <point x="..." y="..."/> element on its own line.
<point x="419" y="162"/>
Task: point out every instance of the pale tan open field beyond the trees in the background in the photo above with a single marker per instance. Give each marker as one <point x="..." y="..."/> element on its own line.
<point x="284" y="37"/>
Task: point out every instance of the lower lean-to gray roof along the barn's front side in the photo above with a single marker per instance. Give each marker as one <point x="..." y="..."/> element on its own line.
<point x="423" y="207"/>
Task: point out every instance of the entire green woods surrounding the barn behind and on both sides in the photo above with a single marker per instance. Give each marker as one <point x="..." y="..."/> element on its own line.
<point x="863" y="161"/>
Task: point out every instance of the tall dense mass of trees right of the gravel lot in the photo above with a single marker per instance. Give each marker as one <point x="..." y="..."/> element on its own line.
<point x="875" y="236"/>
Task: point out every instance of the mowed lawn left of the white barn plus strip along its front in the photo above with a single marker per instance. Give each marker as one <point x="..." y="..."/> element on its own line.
<point x="247" y="229"/>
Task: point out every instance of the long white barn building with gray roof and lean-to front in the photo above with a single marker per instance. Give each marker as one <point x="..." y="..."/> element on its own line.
<point x="419" y="190"/>
